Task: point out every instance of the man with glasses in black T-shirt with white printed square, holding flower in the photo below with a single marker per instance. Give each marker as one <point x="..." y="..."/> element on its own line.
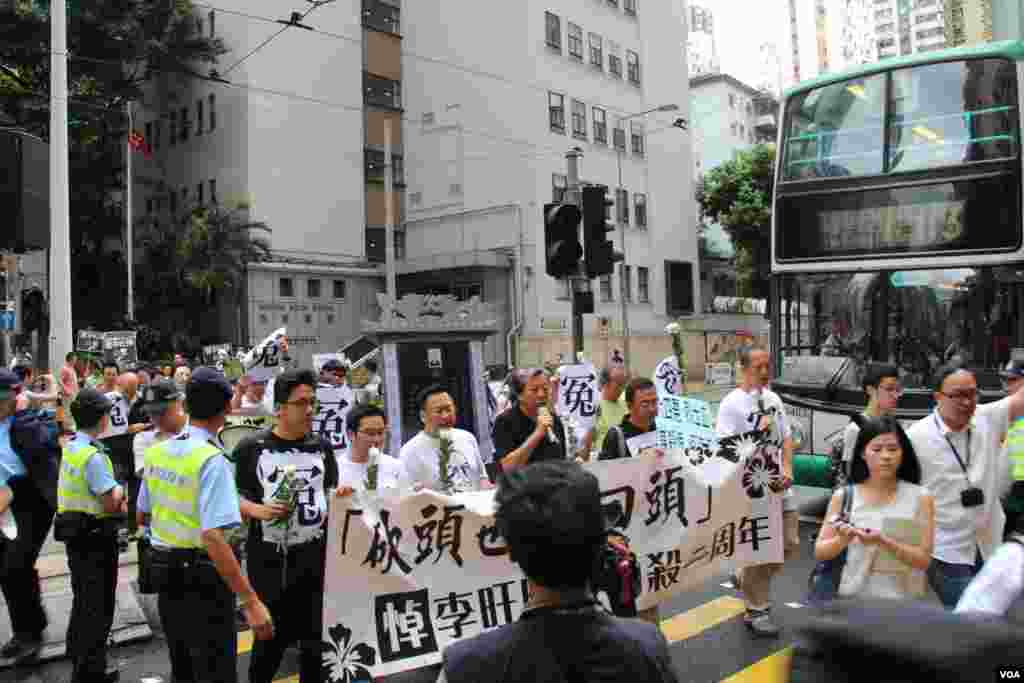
<point x="284" y="477"/>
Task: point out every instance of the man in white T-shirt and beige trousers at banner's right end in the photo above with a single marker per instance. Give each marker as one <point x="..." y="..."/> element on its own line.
<point x="754" y="407"/>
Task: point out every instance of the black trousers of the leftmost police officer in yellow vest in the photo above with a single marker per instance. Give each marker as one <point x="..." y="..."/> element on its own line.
<point x="94" y="564"/>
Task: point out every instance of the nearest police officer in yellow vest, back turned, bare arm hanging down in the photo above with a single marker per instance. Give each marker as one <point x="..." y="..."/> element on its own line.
<point x="189" y="500"/>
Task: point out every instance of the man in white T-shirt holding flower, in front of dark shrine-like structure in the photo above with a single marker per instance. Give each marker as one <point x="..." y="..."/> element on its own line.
<point x="440" y="440"/>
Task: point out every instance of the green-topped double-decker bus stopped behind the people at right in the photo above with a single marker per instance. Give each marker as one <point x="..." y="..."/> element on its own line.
<point x="898" y="232"/>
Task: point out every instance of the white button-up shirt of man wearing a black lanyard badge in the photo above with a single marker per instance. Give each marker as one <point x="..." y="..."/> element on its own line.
<point x="958" y="530"/>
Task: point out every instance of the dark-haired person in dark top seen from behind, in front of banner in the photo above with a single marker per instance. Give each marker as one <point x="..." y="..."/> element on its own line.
<point x="550" y="516"/>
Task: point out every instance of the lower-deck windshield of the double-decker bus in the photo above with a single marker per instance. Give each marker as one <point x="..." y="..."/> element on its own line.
<point x="917" y="320"/>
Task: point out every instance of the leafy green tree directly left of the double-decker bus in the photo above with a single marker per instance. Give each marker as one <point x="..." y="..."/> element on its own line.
<point x="738" y="195"/>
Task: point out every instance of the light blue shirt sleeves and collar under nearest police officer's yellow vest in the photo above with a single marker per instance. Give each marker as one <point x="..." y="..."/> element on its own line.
<point x="219" y="497"/>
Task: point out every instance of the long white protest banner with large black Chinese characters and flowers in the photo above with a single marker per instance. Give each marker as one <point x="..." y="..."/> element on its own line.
<point x="410" y="574"/>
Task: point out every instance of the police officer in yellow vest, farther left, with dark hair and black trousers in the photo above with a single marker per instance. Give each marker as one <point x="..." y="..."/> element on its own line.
<point x="91" y="506"/>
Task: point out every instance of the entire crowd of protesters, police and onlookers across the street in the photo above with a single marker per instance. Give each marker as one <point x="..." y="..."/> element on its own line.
<point x="244" y="529"/>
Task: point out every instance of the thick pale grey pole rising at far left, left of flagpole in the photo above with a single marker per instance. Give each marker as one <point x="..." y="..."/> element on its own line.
<point x="60" y="284"/>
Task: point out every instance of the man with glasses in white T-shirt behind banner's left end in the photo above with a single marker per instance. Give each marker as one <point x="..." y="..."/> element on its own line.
<point x="367" y="431"/>
